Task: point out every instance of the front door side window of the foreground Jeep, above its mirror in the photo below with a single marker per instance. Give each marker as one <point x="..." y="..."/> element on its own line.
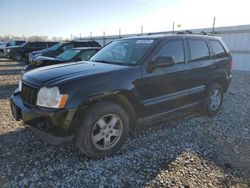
<point x="175" y="49"/>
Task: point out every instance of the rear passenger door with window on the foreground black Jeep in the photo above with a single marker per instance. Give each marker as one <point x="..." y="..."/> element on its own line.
<point x="201" y="65"/>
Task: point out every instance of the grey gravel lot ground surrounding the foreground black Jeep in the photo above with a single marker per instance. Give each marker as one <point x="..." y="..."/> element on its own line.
<point x="181" y="150"/>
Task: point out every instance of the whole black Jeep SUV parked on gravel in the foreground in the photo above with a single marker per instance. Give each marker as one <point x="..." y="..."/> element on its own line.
<point x="95" y="103"/>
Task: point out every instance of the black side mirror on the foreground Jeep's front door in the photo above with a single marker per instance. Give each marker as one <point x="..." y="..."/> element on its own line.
<point x="161" y="61"/>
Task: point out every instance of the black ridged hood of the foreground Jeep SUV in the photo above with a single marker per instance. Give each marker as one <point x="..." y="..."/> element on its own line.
<point x="62" y="73"/>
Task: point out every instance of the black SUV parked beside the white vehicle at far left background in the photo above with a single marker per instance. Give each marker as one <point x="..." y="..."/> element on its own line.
<point x="18" y="52"/>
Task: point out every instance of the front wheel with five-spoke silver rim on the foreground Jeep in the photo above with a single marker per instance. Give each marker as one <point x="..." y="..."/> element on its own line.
<point x="92" y="140"/>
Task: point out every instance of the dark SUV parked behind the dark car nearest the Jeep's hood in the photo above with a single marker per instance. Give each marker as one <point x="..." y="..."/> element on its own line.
<point x="59" y="48"/>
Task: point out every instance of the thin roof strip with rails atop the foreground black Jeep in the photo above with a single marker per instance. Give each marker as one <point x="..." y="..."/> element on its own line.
<point x="169" y="35"/>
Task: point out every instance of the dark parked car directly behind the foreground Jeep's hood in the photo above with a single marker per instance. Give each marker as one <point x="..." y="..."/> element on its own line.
<point x="71" y="55"/>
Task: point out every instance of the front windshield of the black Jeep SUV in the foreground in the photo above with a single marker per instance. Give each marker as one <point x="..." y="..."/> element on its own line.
<point x="127" y="52"/>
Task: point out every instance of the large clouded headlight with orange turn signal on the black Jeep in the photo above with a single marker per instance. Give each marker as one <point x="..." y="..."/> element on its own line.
<point x="51" y="98"/>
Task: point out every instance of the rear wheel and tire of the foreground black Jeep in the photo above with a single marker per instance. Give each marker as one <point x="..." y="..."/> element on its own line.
<point x="214" y="100"/>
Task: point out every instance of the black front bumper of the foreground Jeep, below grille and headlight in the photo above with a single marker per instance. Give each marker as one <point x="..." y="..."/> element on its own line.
<point x="52" y="125"/>
